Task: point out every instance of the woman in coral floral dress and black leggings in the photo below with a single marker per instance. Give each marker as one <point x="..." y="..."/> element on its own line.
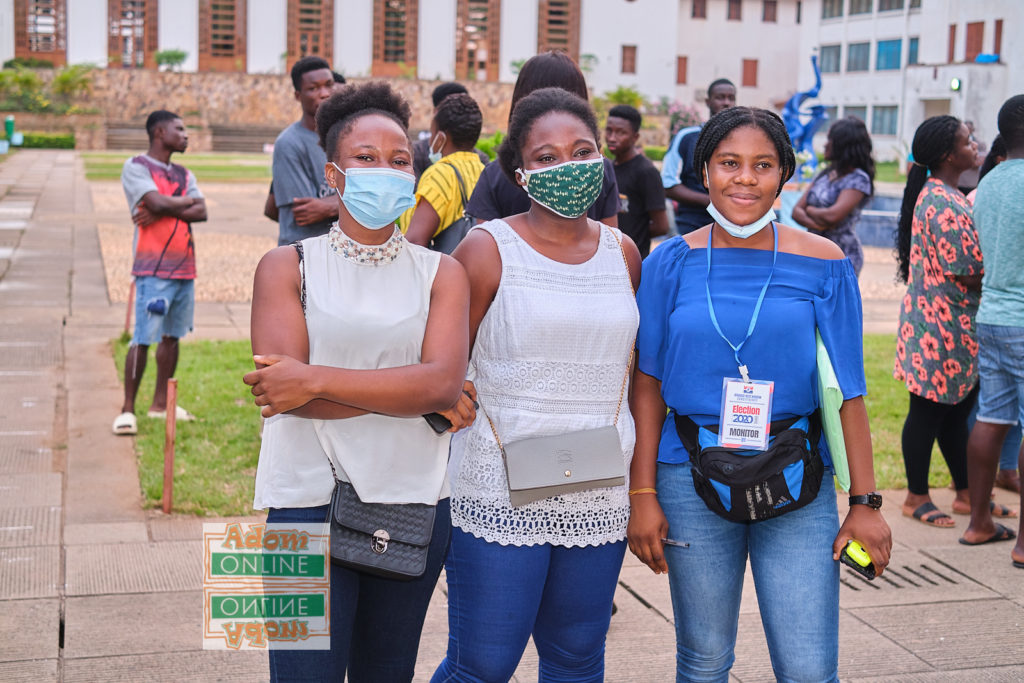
<point x="936" y="352"/>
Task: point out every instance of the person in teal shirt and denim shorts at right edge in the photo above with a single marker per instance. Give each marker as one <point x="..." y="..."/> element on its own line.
<point x="998" y="209"/>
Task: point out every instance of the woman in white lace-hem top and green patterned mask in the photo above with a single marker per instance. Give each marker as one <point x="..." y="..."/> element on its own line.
<point x="553" y="316"/>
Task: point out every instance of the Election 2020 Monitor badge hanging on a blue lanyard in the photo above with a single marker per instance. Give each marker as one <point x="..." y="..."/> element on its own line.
<point x="746" y="414"/>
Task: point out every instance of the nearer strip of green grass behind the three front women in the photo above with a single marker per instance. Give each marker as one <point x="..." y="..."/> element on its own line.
<point x="216" y="461"/>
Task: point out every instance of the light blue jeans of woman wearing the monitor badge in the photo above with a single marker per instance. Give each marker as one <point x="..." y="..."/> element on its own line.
<point x="797" y="583"/>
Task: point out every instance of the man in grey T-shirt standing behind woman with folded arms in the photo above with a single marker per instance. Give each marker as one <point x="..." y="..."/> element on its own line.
<point x="301" y="190"/>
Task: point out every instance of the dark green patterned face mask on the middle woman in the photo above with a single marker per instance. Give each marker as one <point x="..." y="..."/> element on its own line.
<point x="569" y="189"/>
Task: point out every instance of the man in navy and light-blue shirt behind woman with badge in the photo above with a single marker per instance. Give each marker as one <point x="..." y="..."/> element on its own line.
<point x="681" y="181"/>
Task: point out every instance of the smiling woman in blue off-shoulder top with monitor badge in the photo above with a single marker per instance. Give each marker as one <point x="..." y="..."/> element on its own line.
<point x="731" y="309"/>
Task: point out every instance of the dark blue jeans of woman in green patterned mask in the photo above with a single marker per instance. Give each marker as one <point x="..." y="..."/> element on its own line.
<point x="499" y="595"/>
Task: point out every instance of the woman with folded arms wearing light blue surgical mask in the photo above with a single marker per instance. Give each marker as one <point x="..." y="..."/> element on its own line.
<point x="358" y="334"/>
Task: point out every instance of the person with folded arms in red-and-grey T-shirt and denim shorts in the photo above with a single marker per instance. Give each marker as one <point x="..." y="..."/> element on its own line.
<point x="164" y="202"/>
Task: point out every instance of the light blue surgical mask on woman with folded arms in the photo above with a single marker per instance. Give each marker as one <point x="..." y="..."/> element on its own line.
<point x="376" y="197"/>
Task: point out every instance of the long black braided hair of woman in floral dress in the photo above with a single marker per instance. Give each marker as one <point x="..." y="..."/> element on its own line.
<point x="933" y="142"/>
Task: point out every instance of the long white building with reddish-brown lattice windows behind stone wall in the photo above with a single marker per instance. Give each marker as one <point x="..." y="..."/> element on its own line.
<point x="664" y="49"/>
